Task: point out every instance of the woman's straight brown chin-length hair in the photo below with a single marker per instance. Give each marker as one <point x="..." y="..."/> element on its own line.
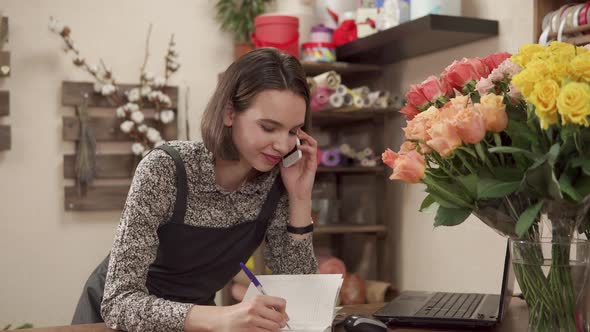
<point x="257" y="71"/>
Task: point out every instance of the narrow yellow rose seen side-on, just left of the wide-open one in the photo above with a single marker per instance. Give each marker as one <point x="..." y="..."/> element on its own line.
<point x="544" y="97"/>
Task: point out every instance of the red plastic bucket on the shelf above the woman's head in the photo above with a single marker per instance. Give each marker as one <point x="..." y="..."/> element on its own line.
<point x="278" y="31"/>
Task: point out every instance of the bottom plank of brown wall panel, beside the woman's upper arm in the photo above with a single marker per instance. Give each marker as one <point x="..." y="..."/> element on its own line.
<point x="97" y="198"/>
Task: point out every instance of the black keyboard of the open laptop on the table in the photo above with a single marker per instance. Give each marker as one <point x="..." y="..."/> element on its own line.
<point x="450" y="305"/>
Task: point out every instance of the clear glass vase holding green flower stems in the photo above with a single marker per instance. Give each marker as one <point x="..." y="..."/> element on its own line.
<point x="553" y="277"/>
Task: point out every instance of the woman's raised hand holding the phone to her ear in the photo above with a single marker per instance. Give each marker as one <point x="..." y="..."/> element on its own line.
<point x="299" y="178"/>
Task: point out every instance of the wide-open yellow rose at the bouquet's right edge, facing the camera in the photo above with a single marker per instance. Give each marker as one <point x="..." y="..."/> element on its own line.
<point x="573" y="103"/>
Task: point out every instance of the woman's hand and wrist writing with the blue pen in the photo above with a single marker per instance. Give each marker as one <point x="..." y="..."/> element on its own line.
<point x="253" y="315"/>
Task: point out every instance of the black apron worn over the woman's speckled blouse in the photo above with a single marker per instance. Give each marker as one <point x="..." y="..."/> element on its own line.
<point x="192" y="262"/>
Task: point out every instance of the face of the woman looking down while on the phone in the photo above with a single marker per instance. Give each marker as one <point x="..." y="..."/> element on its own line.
<point x="267" y="130"/>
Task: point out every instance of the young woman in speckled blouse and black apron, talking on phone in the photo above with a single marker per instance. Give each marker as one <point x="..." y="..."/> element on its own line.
<point x="195" y="210"/>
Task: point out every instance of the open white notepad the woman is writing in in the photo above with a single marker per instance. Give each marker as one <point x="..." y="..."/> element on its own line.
<point x="311" y="298"/>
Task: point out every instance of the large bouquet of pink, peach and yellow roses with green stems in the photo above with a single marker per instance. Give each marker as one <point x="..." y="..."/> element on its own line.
<point x="507" y="138"/>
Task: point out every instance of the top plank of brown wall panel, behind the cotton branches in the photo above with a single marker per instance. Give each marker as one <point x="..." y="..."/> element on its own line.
<point x="72" y="93"/>
